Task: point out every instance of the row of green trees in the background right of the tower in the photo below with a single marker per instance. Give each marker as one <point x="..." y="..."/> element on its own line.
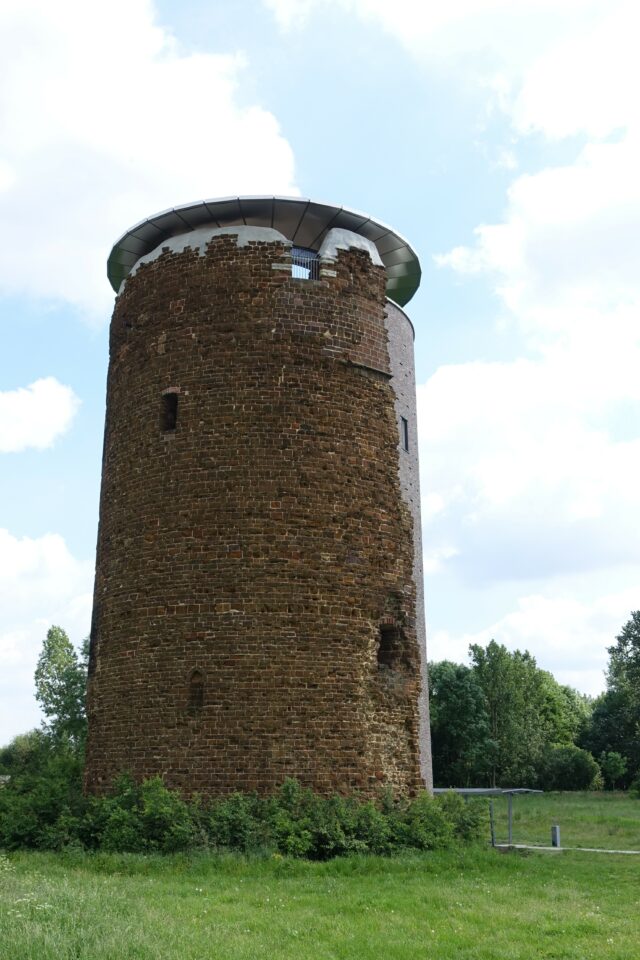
<point x="502" y="721"/>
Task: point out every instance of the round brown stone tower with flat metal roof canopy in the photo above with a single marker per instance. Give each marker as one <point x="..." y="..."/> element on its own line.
<point x="258" y="609"/>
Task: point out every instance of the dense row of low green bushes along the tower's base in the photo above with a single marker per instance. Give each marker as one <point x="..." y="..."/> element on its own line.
<point x="292" y="822"/>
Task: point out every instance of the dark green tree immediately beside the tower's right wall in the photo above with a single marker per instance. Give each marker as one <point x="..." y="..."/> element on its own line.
<point x="462" y="748"/>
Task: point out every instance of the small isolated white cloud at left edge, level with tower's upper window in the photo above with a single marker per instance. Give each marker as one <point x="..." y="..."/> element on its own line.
<point x="35" y="416"/>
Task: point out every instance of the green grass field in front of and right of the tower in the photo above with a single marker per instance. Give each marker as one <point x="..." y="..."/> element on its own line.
<point x="472" y="904"/>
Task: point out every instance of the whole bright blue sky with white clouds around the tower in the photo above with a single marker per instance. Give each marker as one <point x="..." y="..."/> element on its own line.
<point x="501" y="138"/>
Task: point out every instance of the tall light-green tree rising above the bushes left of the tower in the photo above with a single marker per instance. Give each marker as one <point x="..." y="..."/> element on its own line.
<point x="61" y="680"/>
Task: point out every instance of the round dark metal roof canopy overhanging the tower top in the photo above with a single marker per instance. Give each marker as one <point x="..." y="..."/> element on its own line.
<point x="304" y="222"/>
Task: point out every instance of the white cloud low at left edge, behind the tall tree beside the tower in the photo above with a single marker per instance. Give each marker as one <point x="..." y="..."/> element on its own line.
<point x="41" y="583"/>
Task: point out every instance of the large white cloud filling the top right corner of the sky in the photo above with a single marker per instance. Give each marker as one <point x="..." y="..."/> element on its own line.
<point x="562" y="67"/>
